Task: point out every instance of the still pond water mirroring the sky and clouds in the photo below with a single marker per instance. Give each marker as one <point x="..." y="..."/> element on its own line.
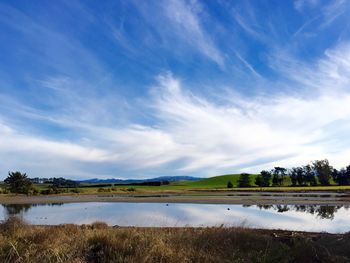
<point x="333" y="219"/>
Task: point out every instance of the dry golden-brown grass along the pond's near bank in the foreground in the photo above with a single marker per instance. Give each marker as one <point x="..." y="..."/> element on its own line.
<point x="20" y="242"/>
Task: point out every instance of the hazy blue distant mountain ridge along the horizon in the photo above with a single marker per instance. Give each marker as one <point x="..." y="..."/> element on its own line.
<point x="130" y="181"/>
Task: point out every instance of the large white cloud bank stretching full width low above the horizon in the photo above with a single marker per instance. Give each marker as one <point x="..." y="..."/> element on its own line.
<point x="193" y="134"/>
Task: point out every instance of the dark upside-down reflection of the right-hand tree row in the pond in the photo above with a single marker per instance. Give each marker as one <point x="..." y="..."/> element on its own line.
<point x="323" y="212"/>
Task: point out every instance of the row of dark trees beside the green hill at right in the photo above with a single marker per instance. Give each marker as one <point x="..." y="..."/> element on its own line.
<point x="319" y="172"/>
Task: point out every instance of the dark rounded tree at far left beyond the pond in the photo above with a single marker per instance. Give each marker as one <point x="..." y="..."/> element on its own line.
<point x="18" y="183"/>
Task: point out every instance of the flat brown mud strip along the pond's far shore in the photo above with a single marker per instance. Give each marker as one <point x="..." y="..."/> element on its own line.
<point x="252" y="198"/>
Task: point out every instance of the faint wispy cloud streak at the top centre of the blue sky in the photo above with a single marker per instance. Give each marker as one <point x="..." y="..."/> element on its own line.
<point x="179" y="27"/>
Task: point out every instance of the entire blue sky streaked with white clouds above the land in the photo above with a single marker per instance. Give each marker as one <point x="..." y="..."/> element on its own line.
<point x="139" y="89"/>
